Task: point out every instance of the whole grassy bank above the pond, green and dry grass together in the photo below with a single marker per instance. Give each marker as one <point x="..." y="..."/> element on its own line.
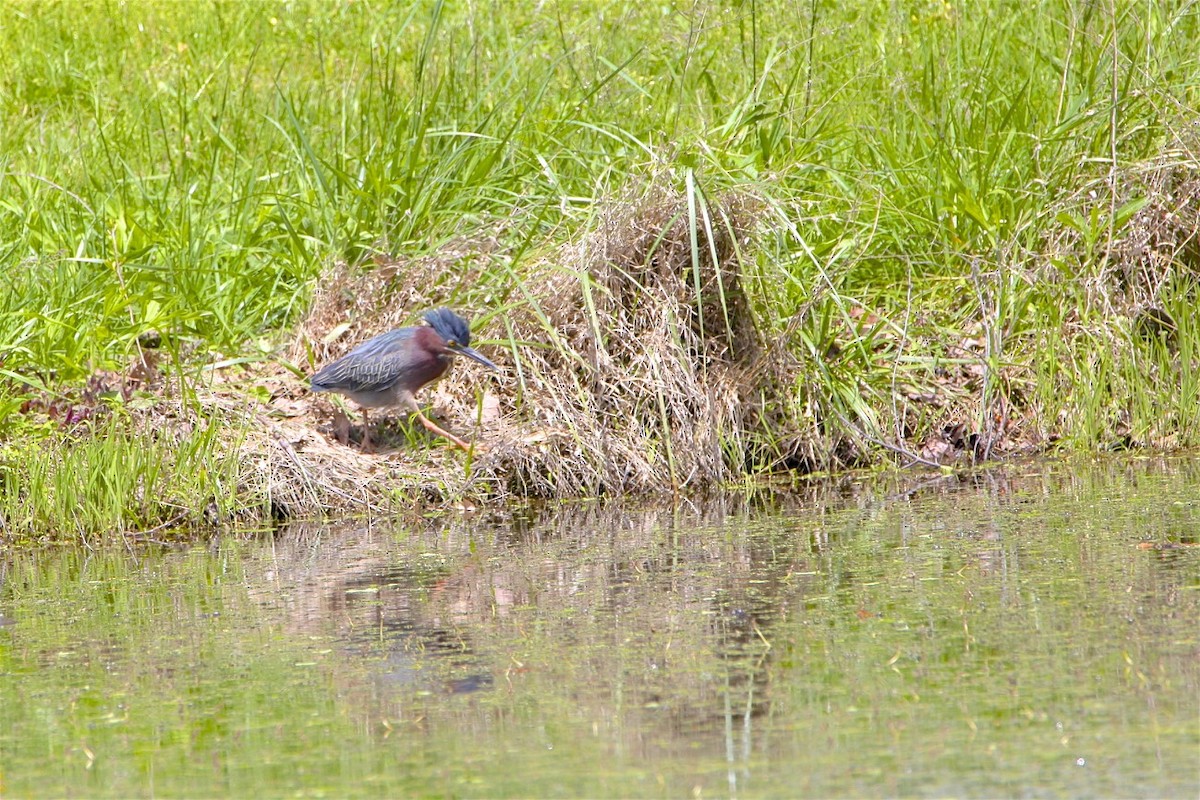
<point x="707" y="243"/>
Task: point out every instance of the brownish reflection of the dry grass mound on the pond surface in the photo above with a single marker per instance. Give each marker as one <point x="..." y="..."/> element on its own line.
<point x="661" y="621"/>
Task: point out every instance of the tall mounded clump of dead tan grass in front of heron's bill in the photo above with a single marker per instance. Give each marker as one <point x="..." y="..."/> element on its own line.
<point x="641" y="365"/>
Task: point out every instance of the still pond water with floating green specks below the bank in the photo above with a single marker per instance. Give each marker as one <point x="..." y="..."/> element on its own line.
<point x="1034" y="633"/>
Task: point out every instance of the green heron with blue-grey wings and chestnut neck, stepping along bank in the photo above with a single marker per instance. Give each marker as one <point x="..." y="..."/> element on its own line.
<point x="392" y="368"/>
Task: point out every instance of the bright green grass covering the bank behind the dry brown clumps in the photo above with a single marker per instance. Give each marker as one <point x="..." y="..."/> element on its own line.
<point x="191" y="171"/>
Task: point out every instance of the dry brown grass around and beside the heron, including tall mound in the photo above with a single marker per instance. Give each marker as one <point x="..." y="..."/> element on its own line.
<point x="632" y="364"/>
